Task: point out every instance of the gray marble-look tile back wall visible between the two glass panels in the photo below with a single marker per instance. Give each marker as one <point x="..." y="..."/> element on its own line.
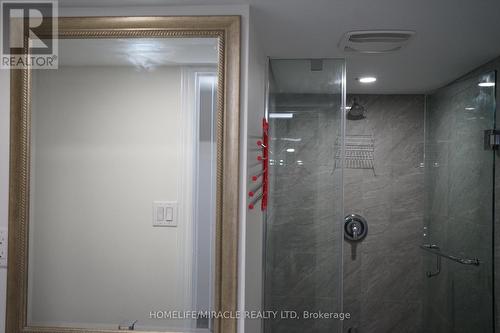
<point x="383" y="274"/>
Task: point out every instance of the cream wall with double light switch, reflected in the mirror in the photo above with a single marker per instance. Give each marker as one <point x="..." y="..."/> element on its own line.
<point x="101" y="158"/>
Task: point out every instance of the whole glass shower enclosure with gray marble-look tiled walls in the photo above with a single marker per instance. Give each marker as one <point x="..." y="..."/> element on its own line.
<point x="304" y="223"/>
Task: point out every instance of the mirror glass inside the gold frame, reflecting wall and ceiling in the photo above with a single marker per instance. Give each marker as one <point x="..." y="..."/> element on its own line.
<point x="123" y="165"/>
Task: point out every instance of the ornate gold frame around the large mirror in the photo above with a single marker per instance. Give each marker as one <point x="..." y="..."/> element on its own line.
<point x="227" y="30"/>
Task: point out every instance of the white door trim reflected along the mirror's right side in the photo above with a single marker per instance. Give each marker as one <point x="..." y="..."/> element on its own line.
<point x="188" y="188"/>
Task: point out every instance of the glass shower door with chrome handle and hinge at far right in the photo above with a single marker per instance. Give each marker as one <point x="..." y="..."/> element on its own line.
<point x="459" y="214"/>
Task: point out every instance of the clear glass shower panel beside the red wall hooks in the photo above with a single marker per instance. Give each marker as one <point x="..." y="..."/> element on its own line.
<point x="303" y="273"/>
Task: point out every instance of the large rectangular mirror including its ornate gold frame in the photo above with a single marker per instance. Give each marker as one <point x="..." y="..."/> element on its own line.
<point x="124" y="179"/>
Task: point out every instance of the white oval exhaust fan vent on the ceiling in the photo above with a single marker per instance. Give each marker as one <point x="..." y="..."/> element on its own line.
<point x="375" y="41"/>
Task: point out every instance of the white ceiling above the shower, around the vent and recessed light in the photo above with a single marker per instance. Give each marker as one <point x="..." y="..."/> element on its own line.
<point x="452" y="36"/>
